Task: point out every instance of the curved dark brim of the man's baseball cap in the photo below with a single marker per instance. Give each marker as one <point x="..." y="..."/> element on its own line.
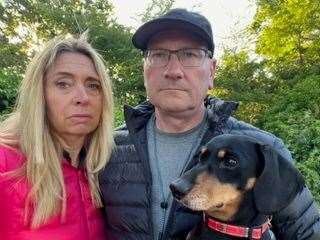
<point x="142" y="36"/>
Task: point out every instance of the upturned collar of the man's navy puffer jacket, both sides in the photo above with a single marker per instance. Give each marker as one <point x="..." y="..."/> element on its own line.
<point x="137" y="117"/>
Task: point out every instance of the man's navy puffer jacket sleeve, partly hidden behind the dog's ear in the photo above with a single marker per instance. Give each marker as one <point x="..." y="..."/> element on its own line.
<point x="300" y="220"/>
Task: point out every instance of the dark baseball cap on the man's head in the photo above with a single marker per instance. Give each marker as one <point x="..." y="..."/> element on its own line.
<point x="177" y="18"/>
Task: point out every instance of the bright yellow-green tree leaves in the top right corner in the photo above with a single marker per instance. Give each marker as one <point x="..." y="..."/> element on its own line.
<point x="288" y="34"/>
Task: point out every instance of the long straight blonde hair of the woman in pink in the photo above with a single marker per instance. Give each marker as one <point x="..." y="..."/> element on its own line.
<point x="27" y="129"/>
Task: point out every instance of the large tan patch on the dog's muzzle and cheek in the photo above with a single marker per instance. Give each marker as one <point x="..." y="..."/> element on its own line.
<point x="208" y="192"/>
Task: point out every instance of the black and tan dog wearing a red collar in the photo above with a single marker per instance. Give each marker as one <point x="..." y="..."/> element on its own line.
<point x="238" y="183"/>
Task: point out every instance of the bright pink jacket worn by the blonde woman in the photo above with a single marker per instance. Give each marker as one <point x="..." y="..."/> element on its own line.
<point x="83" y="220"/>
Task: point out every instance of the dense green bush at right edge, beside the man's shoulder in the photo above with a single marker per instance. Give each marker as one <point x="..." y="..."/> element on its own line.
<point x="295" y="117"/>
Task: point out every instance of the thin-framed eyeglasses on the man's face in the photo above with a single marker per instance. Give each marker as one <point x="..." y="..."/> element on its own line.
<point x="207" y="53"/>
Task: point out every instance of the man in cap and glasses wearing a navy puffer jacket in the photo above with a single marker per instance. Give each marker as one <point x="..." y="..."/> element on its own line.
<point x="162" y="135"/>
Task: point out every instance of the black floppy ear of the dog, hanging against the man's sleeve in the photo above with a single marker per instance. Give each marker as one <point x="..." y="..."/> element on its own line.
<point x="278" y="183"/>
